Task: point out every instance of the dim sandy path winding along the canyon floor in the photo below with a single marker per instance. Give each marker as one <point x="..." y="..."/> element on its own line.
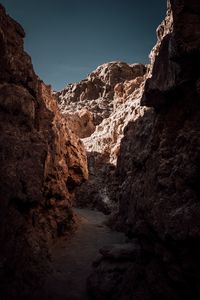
<point x="72" y="259"/>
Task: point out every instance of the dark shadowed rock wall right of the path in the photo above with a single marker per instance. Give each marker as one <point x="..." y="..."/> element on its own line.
<point x="165" y="163"/>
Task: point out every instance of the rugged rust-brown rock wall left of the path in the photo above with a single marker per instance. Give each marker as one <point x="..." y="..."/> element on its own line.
<point x="41" y="161"/>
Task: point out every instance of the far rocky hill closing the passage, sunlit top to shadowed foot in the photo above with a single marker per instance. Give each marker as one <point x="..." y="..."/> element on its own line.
<point x="99" y="108"/>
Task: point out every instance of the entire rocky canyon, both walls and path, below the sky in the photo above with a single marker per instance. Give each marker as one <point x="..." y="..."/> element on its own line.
<point x="99" y="182"/>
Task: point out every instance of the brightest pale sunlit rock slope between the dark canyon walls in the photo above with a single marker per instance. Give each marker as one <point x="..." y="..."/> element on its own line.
<point x="107" y="136"/>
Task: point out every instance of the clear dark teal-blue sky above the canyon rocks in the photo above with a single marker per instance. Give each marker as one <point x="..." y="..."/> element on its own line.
<point x="69" y="39"/>
